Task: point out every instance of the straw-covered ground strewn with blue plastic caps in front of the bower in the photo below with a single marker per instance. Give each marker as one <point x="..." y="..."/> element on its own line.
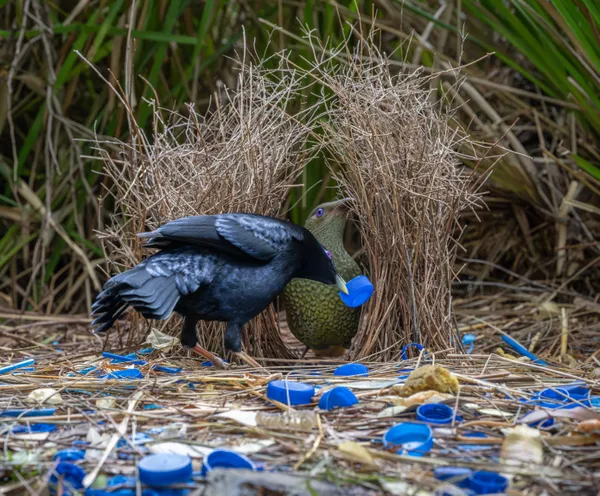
<point x="164" y="421"/>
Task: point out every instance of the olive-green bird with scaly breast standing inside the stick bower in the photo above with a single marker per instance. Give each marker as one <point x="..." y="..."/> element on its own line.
<point x="316" y="315"/>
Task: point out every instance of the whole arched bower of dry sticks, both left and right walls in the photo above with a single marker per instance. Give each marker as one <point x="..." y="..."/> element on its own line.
<point x="392" y="148"/>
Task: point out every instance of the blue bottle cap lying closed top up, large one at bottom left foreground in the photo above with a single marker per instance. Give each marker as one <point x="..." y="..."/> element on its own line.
<point x="163" y="469"/>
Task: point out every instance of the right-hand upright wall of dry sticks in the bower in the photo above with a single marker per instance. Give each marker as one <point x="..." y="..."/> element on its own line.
<point x="399" y="159"/>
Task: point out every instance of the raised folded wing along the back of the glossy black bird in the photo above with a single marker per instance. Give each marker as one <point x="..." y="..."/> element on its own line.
<point x="240" y="235"/>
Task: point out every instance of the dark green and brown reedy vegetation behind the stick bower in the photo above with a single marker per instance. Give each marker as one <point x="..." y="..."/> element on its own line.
<point x="533" y="88"/>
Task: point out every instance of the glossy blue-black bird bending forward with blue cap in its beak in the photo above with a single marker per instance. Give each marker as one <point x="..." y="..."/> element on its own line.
<point x="226" y="267"/>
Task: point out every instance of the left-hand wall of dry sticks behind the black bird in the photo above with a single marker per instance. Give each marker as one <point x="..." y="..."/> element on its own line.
<point x="243" y="156"/>
